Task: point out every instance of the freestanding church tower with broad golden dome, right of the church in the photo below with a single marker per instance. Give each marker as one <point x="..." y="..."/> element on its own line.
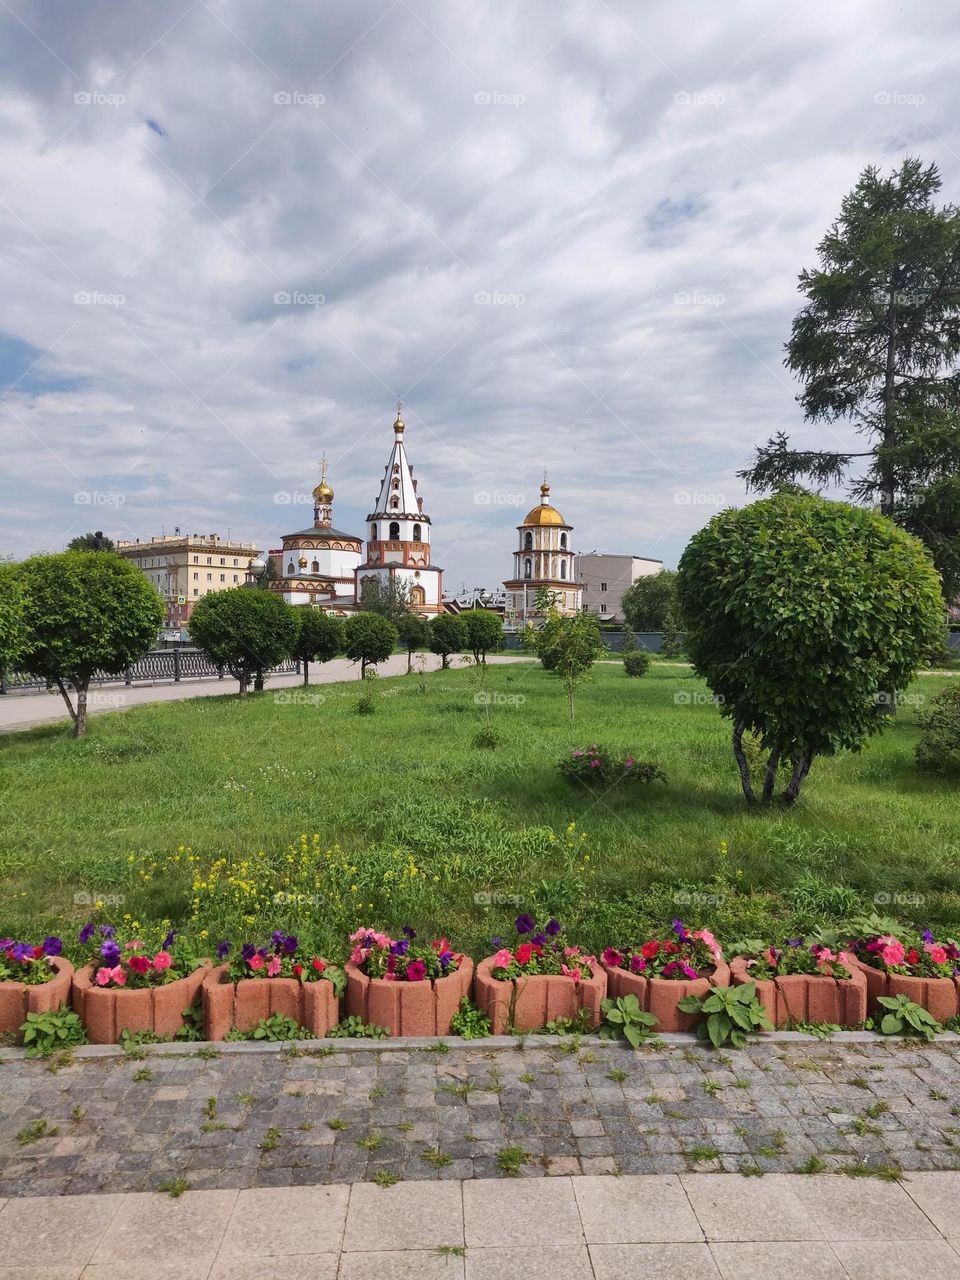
<point x="545" y="560"/>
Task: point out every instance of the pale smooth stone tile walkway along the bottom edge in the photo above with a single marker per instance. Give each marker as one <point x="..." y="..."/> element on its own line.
<point x="589" y="1228"/>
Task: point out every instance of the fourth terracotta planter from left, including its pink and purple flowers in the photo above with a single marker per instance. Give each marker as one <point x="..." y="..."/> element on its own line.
<point x="412" y="990"/>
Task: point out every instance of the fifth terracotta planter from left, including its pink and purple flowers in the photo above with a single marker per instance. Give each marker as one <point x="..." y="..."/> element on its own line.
<point x="542" y="980"/>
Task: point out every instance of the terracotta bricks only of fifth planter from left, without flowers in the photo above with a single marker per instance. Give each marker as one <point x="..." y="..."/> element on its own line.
<point x="536" y="1000"/>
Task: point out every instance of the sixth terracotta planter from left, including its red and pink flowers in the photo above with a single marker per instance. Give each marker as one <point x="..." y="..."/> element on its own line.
<point x="662" y="972"/>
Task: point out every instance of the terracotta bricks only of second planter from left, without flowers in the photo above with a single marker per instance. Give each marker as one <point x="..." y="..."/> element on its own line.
<point x="107" y="1012"/>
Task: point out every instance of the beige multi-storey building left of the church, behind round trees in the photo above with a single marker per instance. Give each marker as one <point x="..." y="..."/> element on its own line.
<point x="186" y="568"/>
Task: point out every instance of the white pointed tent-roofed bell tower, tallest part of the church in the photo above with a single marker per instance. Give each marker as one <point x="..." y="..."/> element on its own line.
<point x="399" y="536"/>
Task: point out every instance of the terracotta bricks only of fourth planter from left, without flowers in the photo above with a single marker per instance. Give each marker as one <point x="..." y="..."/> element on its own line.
<point x="409" y="1008"/>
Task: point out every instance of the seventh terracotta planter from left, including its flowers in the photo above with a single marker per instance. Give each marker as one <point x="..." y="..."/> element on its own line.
<point x="801" y="984"/>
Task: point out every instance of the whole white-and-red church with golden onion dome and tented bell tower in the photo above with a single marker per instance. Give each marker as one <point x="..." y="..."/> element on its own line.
<point x="327" y="568"/>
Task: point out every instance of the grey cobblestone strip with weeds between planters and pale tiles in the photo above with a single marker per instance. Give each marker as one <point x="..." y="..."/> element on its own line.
<point x="335" y="1116"/>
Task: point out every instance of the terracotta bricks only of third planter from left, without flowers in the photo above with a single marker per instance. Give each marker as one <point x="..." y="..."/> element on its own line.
<point x="244" y="1004"/>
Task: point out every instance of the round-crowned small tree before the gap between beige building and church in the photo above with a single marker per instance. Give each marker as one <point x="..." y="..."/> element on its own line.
<point x="245" y="632"/>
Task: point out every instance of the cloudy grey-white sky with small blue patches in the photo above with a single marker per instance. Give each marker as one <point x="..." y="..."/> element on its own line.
<point x="565" y="234"/>
